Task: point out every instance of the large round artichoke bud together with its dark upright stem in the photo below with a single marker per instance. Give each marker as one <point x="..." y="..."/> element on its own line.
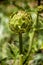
<point x="20" y="23"/>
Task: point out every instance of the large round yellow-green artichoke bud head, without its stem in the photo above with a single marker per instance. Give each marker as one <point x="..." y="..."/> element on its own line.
<point x="20" y="22"/>
